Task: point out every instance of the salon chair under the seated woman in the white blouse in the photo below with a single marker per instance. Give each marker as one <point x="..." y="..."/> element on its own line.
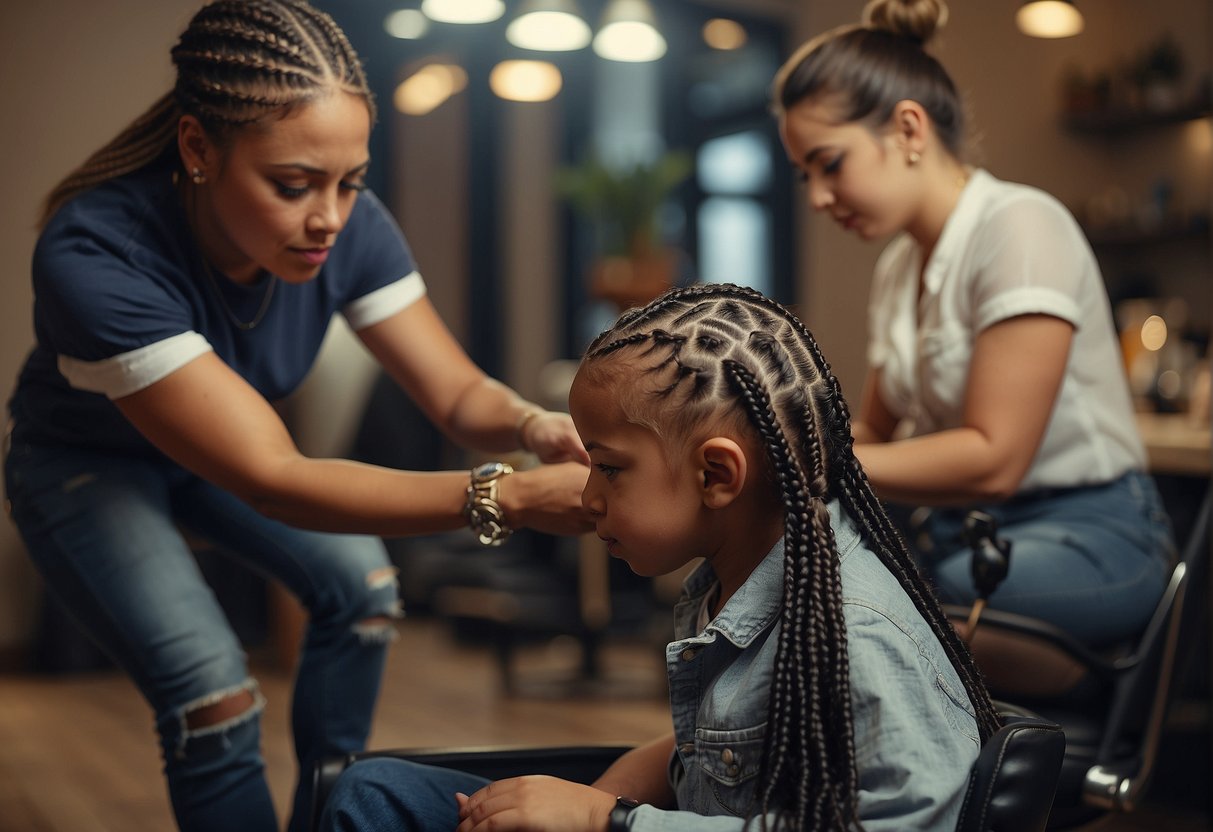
<point x="1112" y="704"/>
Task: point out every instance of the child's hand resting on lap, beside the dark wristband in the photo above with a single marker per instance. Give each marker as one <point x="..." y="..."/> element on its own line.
<point x="536" y="803"/>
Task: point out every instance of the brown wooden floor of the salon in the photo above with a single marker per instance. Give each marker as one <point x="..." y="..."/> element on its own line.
<point x="78" y="755"/>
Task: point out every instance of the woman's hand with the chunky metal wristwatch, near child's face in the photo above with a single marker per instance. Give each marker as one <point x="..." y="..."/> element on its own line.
<point x="548" y="499"/>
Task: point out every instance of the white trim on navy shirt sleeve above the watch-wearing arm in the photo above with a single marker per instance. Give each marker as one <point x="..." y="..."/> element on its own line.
<point x="130" y="373"/>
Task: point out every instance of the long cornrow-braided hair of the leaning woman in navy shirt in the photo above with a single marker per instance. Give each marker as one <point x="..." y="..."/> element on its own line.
<point x="240" y="64"/>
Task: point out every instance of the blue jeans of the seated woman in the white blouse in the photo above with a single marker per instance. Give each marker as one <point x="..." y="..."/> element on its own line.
<point x="1091" y="561"/>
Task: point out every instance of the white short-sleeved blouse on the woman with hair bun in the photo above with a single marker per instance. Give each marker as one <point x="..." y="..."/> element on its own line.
<point x="1006" y="250"/>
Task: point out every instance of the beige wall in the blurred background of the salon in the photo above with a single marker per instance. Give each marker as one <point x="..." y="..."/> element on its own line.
<point x="76" y="72"/>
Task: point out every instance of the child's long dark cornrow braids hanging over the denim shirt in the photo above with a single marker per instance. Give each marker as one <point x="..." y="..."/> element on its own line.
<point x="701" y="355"/>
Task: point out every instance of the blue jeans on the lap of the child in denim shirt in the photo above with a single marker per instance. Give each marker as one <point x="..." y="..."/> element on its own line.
<point x="384" y="795"/>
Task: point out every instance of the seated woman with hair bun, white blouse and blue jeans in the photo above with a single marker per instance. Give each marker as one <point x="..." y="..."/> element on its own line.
<point x="995" y="378"/>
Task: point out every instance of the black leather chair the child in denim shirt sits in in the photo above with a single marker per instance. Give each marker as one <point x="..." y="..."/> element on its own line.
<point x="1011" y="788"/>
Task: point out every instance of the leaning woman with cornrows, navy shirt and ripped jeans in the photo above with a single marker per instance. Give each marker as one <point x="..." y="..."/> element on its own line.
<point x="185" y="280"/>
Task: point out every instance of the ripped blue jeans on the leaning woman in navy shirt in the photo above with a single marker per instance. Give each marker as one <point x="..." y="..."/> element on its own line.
<point x="105" y="532"/>
